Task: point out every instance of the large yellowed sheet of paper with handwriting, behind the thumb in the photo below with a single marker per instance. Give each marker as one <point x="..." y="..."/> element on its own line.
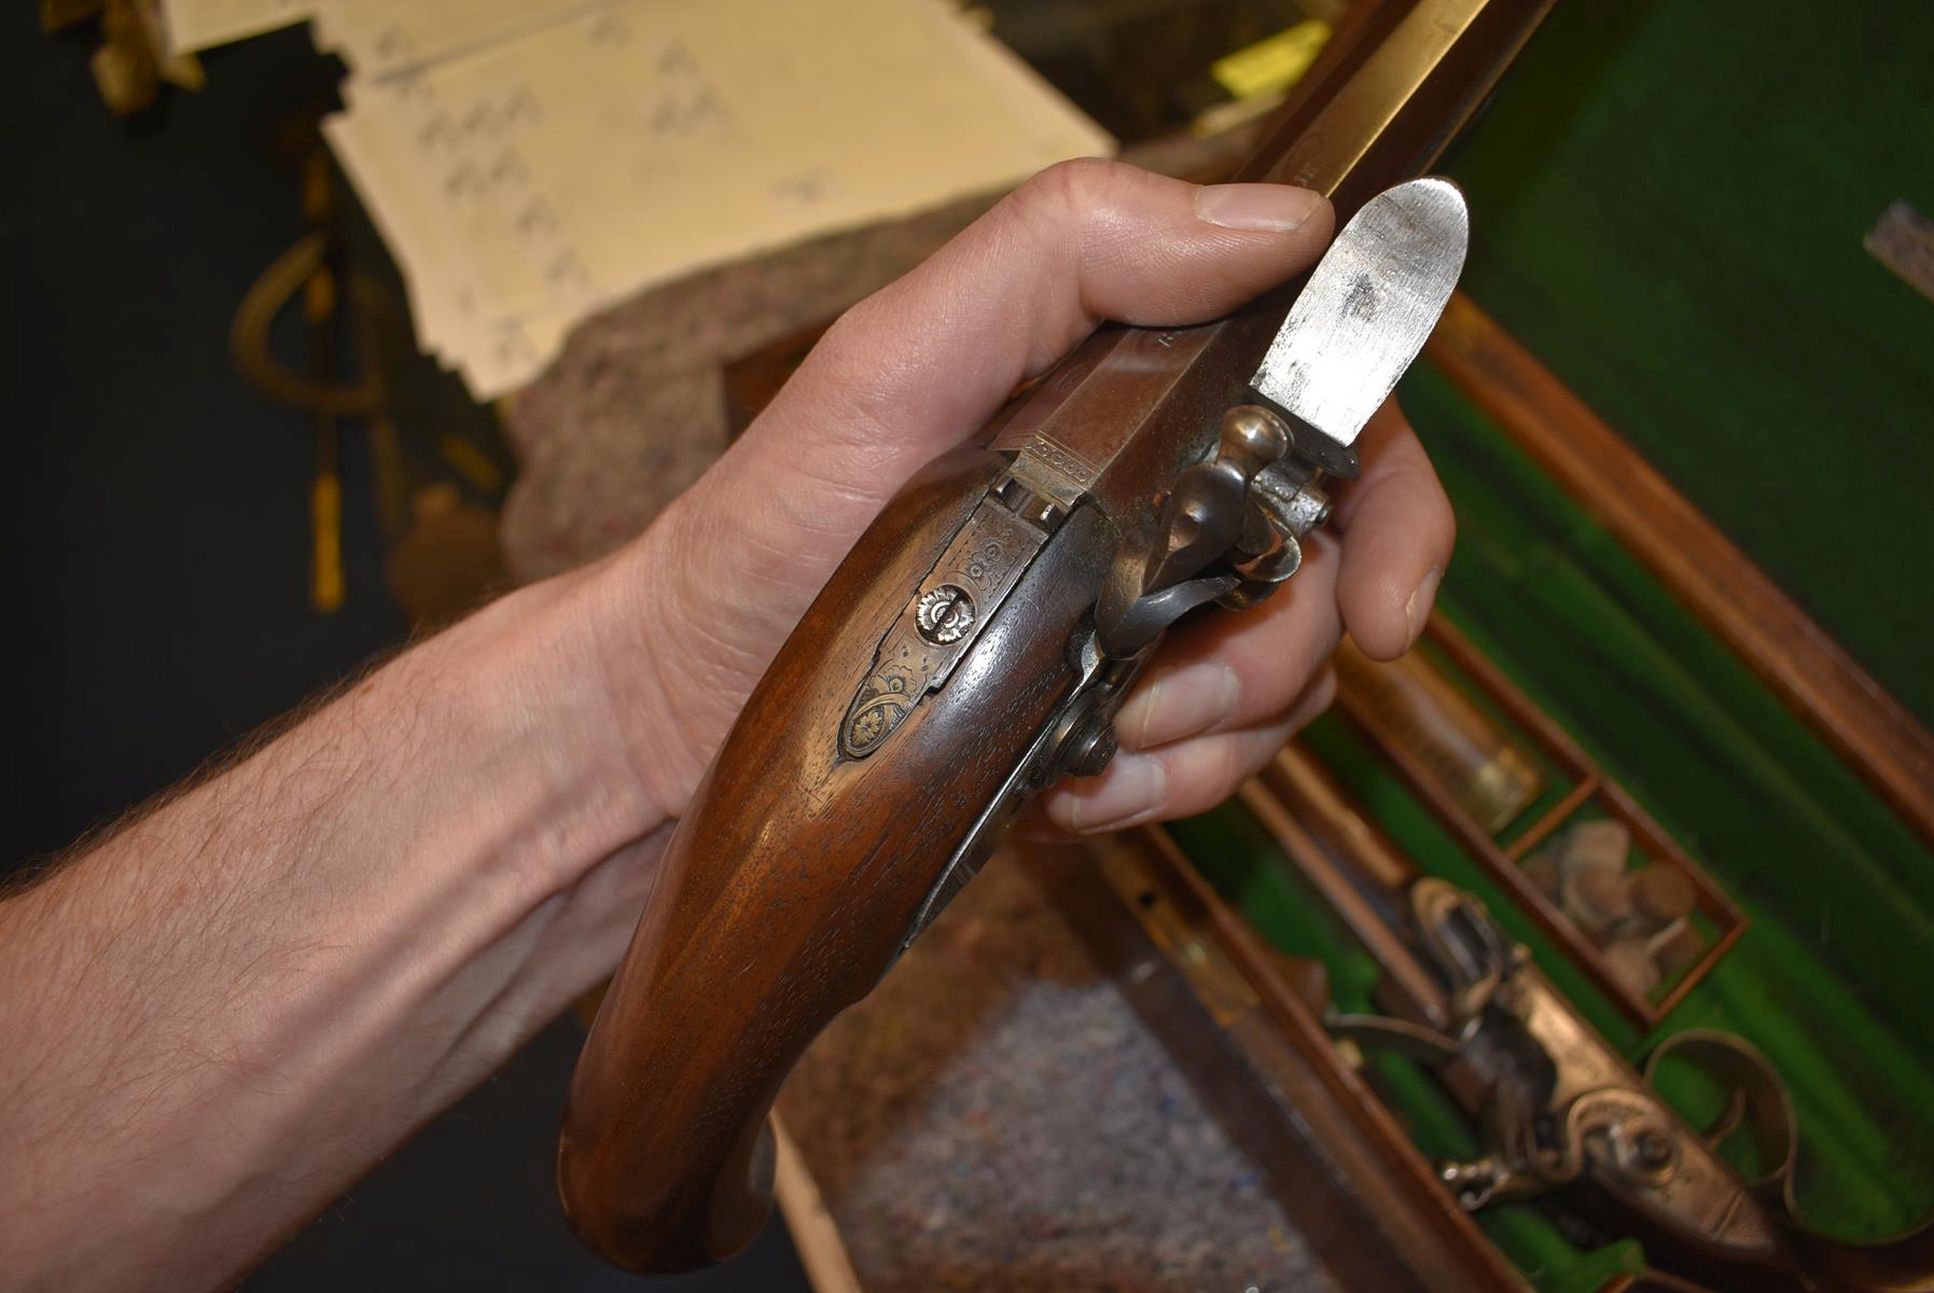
<point x="601" y="152"/>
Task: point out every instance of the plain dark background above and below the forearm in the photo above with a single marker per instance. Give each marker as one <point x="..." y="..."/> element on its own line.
<point x="158" y="548"/>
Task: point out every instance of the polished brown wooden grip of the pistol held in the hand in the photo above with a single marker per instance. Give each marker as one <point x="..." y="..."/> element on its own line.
<point x="796" y="875"/>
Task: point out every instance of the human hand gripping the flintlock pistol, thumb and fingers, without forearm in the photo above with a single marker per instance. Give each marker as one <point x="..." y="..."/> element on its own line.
<point x="718" y="583"/>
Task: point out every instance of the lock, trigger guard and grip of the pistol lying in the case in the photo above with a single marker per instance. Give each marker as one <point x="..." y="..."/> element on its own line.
<point x="1568" y="1116"/>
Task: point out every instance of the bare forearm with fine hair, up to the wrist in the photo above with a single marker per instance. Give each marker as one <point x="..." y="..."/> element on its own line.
<point x="237" y="1004"/>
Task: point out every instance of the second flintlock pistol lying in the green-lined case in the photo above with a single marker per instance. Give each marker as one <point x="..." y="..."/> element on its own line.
<point x="1560" y="1108"/>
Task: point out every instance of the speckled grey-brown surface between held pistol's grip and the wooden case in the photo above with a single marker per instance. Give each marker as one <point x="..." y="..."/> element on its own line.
<point x="997" y="1116"/>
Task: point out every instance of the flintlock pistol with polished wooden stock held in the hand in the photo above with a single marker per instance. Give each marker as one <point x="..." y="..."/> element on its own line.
<point x="980" y="637"/>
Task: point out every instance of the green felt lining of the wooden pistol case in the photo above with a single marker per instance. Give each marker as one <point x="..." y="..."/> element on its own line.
<point x="1668" y="204"/>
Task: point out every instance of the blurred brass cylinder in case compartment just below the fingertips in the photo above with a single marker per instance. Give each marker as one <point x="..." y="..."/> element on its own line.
<point x="1455" y="741"/>
